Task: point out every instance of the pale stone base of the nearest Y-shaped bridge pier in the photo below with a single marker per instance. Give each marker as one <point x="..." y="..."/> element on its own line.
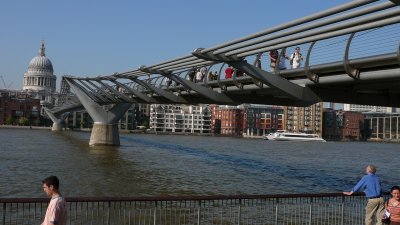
<point x="104" y="134"/>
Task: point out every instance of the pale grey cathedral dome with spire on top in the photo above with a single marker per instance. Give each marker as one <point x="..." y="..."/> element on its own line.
<point x="40" y="64"/>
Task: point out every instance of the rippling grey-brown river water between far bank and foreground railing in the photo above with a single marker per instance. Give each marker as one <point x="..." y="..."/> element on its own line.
<point x="147" y="164"/>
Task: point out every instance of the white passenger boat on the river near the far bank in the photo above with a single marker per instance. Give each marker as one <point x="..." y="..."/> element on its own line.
<point x="282" y="135"/>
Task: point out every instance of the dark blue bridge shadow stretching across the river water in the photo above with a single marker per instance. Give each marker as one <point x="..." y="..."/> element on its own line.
<point x="283" y="174"/>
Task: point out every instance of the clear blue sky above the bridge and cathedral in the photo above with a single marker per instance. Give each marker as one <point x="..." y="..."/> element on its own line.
<point x="100" y="37"/>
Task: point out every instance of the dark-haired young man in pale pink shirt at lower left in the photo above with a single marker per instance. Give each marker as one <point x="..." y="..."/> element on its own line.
<point x="56" y="213"/>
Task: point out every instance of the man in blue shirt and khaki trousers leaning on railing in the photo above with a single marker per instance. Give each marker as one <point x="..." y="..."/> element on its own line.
<point x="371" y="185"/>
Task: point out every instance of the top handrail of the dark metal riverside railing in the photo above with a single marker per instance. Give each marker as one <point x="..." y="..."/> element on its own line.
<point x="182" y="198"/>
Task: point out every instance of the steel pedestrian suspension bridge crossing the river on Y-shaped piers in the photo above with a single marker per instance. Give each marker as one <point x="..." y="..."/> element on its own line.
<point x="350" y="54"/>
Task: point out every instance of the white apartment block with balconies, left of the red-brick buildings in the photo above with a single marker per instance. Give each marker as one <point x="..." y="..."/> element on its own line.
<point x="180" y="118"/>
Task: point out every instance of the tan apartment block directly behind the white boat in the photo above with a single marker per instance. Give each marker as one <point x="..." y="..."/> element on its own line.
<point x="304" y="119"/>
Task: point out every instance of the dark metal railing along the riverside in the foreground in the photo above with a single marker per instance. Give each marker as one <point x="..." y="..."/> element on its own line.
<point x="298" y="209"/>
